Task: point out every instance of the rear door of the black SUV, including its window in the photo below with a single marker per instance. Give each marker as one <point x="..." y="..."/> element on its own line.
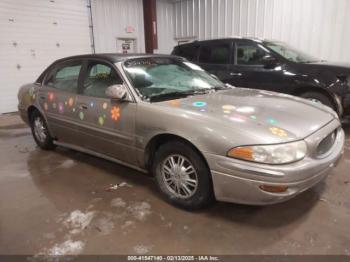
<point x="215" y="57"/>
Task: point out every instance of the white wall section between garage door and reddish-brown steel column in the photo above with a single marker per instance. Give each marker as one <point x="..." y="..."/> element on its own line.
<point x="110" y="20"/>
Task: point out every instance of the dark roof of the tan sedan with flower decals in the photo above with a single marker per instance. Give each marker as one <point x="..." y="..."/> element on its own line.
<point x="114" y="57"/>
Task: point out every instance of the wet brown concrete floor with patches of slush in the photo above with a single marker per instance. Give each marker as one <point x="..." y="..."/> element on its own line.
<point x="57" y="202"/>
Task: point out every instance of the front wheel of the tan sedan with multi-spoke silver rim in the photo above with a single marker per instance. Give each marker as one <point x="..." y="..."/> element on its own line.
<point x="201" y="194"/>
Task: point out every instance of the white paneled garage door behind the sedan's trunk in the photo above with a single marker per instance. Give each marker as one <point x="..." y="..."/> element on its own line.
<point x="34" y="33"/>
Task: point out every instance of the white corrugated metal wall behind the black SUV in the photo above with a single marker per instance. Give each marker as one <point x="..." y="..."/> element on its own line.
<point x="319" y="27"/>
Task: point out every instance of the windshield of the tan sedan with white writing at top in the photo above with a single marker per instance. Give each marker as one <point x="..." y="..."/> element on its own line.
<point x="164" y="77"/>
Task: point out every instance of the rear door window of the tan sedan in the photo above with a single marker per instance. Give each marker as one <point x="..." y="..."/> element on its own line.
<point x="65" y="77"/>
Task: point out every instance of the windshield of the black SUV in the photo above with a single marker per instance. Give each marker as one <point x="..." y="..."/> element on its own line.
<point x="290" y="53"/>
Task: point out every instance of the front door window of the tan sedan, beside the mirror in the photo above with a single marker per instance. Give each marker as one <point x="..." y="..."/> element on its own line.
<point x="99" y="77"/>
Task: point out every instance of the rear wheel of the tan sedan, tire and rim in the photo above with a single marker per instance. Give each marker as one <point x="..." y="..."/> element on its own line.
<point x="40" y="131"/>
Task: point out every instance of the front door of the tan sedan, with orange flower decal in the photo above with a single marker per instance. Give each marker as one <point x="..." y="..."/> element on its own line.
<point x="107" y="126"/>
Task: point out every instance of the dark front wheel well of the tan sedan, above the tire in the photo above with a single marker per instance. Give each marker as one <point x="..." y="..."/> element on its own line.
<point x="161" y="139"/>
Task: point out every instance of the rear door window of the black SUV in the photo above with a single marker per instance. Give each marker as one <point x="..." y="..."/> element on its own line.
<point x="215" y="54"/>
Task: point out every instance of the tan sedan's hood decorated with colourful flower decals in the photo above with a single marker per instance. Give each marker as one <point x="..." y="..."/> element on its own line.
<point x="266" y="117"/>
